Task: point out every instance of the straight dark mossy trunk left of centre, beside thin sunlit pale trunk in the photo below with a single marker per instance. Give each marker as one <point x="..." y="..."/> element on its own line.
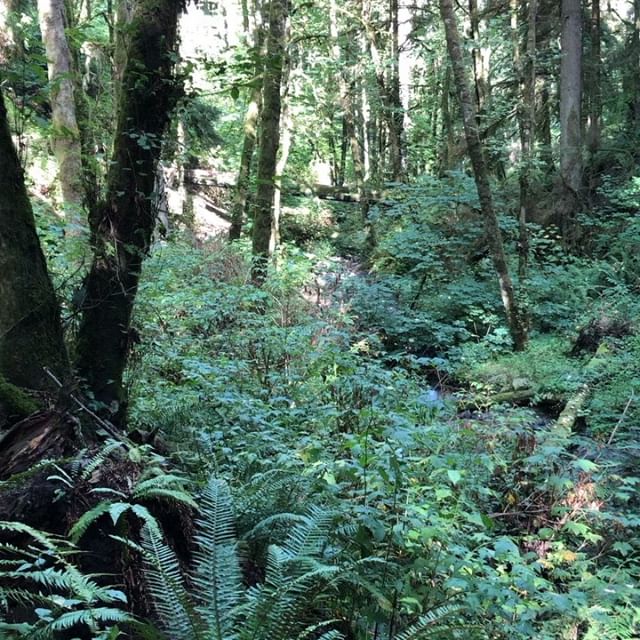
<point x="263" y="221"/>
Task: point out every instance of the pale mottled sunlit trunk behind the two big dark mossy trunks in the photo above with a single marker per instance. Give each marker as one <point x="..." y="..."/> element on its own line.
<point x="65" y="136"/>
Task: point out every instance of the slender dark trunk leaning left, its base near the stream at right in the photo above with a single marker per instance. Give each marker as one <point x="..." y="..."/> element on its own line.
<point x="515" y="316"/>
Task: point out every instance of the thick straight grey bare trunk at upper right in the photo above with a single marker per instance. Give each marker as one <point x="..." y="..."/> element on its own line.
<point x="570" y="112"/>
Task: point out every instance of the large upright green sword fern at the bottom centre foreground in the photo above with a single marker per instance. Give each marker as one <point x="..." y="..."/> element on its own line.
<point x="292" y="602"/>
